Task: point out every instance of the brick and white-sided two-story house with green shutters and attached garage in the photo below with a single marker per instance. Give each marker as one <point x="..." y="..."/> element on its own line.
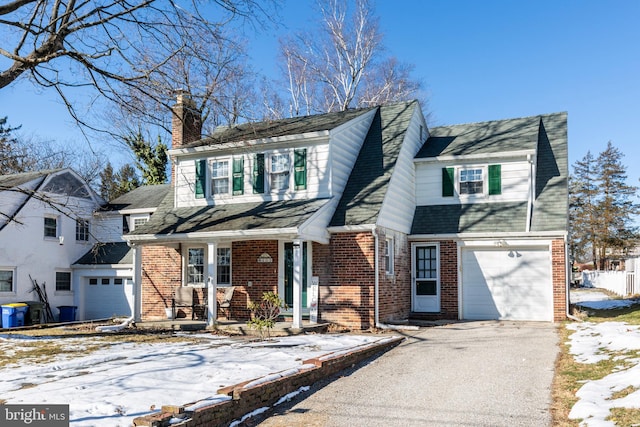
<point x="367" y="212"/>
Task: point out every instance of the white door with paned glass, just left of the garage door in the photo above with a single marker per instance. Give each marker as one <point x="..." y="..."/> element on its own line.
<point x="426" y="278"/>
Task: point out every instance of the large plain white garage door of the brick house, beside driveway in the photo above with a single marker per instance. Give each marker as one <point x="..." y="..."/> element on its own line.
<point x="507" y="284"/>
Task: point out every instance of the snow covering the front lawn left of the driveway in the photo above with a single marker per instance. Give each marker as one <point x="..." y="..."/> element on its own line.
<point x="111" y="386"/>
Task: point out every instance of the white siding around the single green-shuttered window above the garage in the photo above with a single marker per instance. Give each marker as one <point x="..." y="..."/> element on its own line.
<point x="515" y="182"/>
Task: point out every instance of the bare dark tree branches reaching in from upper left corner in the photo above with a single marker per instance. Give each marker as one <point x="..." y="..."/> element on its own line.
<point x="115" y="48"/>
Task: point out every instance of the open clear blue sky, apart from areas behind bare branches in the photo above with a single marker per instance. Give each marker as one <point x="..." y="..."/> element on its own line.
<point x="478" y="60"/>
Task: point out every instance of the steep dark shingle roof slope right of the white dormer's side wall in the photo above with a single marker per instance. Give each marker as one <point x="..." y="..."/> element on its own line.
<point x="368" y="183"/>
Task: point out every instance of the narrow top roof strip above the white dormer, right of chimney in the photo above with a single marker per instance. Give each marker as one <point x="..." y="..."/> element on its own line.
<point x="277" y="128"/>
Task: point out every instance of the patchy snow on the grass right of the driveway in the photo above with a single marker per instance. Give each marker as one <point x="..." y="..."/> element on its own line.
<point x="594" y="342"/>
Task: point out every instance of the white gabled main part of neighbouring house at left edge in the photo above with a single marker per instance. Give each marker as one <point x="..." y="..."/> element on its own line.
<point x="45" y="225"/>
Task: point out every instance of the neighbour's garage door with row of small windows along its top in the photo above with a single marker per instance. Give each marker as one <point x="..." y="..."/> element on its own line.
<point x="106" y="297"/>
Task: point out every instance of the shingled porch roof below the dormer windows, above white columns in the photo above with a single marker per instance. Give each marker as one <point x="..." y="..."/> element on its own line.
<point x="242" y="219"/>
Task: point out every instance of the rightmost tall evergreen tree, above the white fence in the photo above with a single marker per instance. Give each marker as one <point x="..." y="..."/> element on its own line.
<point x="616" y="209"/>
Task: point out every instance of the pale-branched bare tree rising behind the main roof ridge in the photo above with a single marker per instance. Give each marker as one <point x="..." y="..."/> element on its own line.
<point x="341" y="65"/>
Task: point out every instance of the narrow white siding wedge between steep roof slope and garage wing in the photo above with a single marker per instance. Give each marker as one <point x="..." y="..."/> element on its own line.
<point x="400" y="201"/>
